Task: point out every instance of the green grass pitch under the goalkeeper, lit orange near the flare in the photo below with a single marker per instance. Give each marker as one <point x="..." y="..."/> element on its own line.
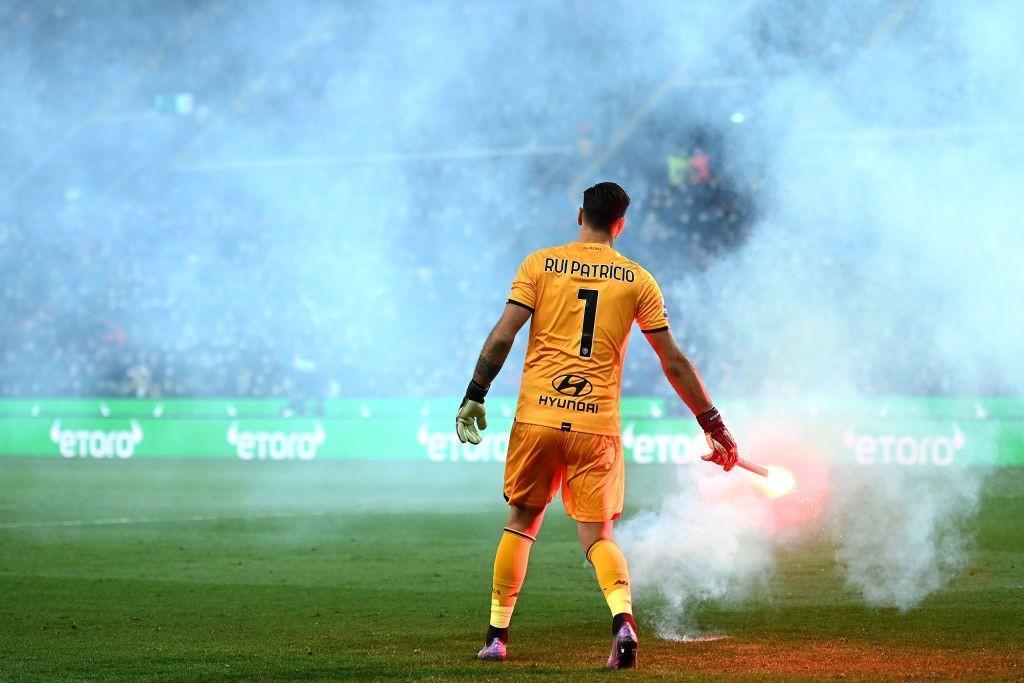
<point x="203" y="570"/>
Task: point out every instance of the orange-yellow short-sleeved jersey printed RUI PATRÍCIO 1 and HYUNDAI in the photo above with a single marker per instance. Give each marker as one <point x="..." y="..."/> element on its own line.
<point x="584" y="297"/>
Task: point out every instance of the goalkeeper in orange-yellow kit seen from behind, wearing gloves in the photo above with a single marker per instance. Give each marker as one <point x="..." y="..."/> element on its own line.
<point x="583" y="298"/>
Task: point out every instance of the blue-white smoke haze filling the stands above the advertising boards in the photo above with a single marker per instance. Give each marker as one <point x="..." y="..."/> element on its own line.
<point x="220" y="194"/>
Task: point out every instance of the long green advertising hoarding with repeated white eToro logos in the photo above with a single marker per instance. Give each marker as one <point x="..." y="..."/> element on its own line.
<point x="885" y="432"/>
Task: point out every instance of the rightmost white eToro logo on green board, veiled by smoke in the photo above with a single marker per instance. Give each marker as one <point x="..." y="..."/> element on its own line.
<point x="940" y="450"/>
